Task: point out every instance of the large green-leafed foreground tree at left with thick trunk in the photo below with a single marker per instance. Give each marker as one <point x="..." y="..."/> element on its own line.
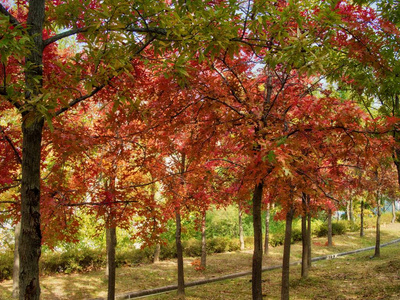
<point x="104" y="31"/>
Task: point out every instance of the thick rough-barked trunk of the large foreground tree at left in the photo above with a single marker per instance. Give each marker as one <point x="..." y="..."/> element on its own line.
<point x="32" y="127"/>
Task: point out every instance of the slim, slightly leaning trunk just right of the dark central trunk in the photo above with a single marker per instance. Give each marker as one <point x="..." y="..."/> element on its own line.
<point x="286" y="255"/>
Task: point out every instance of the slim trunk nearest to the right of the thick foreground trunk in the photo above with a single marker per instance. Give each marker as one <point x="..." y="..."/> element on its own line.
<point x="111" y="239"/>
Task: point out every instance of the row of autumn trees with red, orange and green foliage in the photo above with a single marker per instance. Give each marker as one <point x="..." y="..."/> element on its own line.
<point x="158" y="108"/>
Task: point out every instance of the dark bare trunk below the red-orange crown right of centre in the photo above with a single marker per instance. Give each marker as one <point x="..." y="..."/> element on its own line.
<point x="257" y="253"/>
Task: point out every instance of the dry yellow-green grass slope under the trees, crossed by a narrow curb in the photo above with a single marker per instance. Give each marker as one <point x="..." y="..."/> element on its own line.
<point x="350" y="277"/>
